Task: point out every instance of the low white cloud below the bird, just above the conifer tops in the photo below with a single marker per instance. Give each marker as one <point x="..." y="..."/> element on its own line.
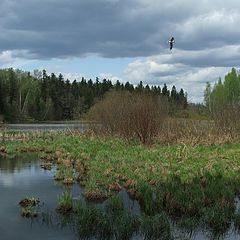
<point x="192" y="79"/>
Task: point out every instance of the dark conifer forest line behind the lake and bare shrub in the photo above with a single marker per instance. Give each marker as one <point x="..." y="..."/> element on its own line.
<point x="40" y="96"/>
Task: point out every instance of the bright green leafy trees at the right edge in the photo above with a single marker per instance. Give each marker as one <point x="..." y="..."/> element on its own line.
<point x="223" y="101"/>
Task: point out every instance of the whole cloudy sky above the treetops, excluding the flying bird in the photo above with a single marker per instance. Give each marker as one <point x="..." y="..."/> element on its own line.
<point x="124" y="39"/>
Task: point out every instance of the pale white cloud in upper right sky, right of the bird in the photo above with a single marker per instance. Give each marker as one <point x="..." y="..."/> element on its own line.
<point x="215" y="28"/>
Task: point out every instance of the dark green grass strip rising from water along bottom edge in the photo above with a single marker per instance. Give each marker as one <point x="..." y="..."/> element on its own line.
<point x="111" y="220"/>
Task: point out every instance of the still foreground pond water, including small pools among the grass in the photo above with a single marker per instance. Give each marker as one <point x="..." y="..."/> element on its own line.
<point x="22" y="177"/>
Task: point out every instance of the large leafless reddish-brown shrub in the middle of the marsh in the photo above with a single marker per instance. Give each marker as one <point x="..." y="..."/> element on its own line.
<point x="131" y="115"/>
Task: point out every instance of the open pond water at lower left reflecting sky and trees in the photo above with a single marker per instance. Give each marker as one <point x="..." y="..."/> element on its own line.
<point x="21" y="177"/>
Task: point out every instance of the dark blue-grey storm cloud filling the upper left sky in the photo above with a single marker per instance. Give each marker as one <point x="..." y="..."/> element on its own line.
<point x="58" y="28"/>
